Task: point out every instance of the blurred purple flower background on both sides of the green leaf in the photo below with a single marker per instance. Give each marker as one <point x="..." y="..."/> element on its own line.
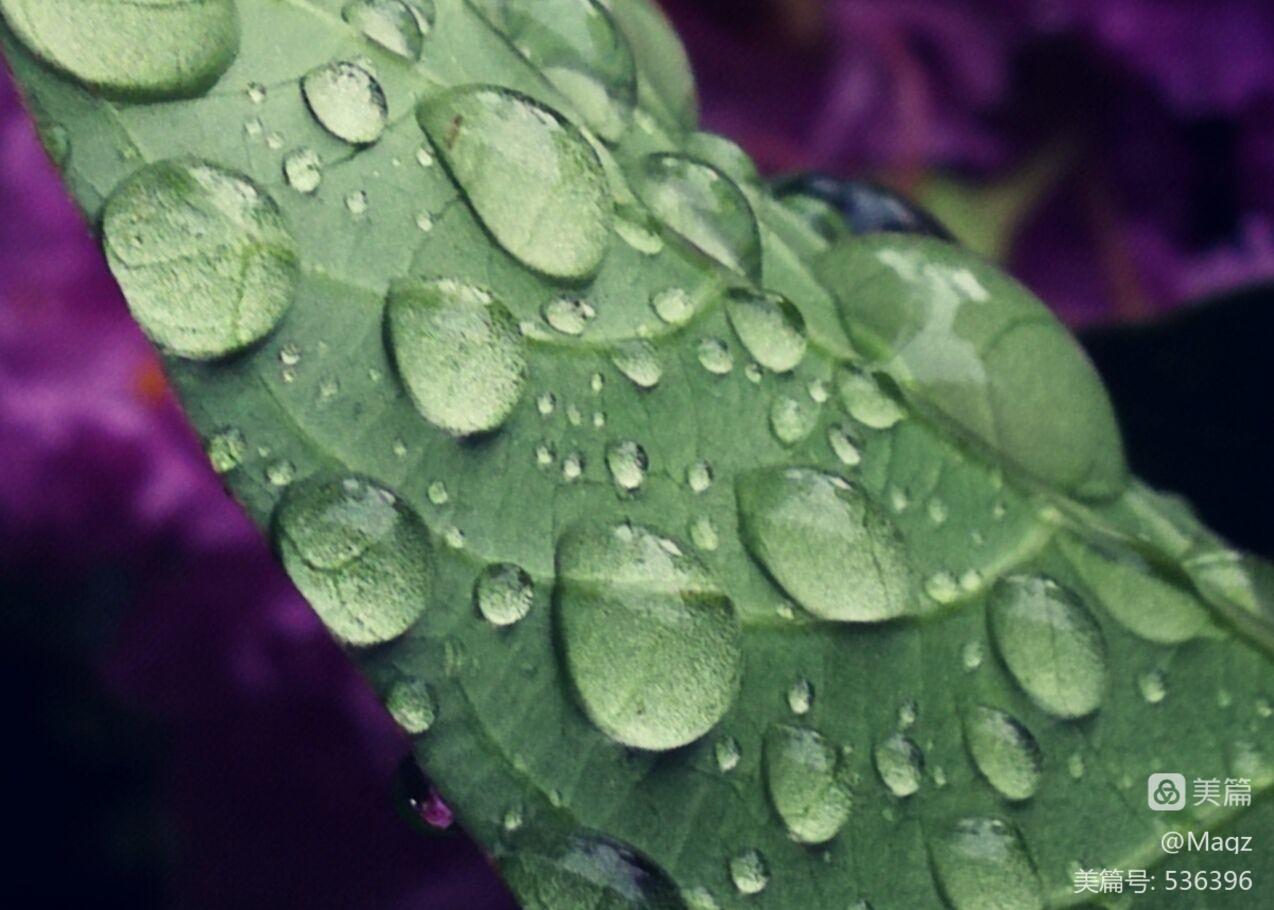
<point x="196" y="740"/>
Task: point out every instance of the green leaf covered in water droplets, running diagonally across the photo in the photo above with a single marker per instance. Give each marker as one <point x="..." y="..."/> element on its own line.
<point x="710" y="565"/>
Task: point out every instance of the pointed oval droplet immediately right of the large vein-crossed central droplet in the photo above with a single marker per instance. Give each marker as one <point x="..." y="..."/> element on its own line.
<point x="830" y="547"/>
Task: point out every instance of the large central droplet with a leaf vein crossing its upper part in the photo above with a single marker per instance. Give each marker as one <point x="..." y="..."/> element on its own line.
<point x="649" y="638"/>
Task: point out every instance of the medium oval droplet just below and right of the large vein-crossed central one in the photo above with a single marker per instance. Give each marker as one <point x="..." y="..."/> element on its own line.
<point x="808" y="783"/>
